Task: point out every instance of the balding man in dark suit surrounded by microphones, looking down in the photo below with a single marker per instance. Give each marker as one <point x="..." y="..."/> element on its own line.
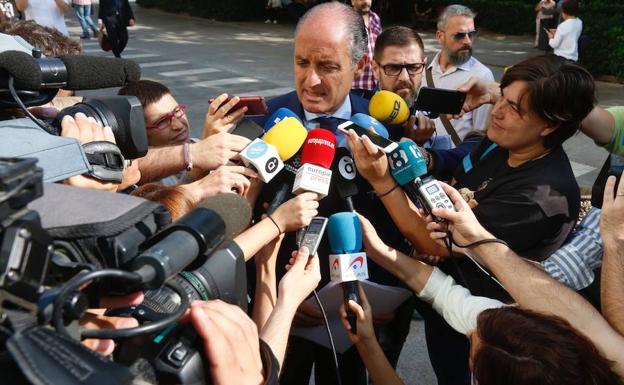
<point x="330" y="41"/>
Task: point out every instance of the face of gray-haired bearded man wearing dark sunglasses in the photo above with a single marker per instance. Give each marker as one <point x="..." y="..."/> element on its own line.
<point x="456" y="45"/>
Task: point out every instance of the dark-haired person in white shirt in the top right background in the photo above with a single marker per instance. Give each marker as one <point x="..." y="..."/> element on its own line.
<point x="564" y="39"/>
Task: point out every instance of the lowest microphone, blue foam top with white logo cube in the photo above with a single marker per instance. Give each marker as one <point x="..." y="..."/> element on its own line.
<point x="347" y="265"/>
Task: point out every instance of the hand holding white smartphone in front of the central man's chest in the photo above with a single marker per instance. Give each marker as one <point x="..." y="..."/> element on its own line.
<point x="370" y="161"/>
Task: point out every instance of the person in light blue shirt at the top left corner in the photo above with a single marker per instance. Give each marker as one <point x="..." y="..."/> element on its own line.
<point x="49" y="13"/>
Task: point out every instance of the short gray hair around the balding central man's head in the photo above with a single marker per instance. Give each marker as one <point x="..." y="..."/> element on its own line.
<point x="355" y="27"/>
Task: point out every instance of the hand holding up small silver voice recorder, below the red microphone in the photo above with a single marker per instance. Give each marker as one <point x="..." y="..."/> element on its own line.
<point x="302" y="276"/>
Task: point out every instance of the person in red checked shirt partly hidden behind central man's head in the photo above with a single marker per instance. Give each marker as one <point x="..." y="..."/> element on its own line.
<point x="365" y="79"/>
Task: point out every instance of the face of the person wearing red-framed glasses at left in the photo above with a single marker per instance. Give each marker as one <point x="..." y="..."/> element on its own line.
<point x="166" y="122"/>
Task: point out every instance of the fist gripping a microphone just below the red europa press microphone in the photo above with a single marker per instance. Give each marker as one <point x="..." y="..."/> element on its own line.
<point x="296" y="212"/>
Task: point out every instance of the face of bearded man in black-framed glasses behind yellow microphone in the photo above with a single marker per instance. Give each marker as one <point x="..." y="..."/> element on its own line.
<point x="403" y="84"/>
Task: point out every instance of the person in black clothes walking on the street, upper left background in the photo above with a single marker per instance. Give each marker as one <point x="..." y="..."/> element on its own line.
<point x="116" y="16"/>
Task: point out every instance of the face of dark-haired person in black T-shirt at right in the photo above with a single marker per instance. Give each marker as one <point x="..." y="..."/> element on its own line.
<point x="513" y="126"/>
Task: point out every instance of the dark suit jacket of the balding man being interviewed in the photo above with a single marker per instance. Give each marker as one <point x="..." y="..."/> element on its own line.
<point x="366" y="203"/>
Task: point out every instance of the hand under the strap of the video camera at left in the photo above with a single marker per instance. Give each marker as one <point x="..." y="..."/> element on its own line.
<point x="87" y="130"/>
